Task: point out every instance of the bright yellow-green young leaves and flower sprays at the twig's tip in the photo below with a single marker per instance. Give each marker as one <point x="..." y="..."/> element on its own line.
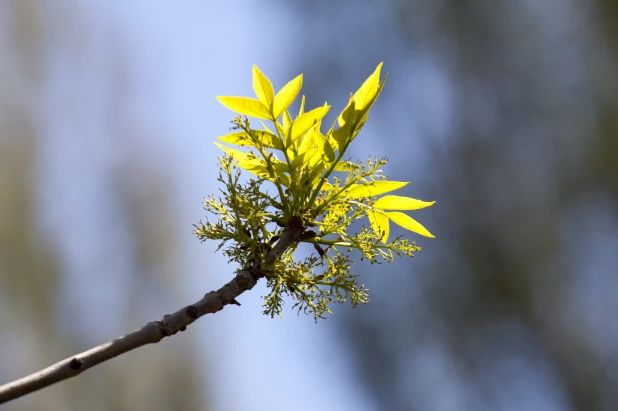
<point x="299" y="173"/>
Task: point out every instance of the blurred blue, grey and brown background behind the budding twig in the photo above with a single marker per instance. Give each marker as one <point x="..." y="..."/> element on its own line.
<point x="504" y="112"/>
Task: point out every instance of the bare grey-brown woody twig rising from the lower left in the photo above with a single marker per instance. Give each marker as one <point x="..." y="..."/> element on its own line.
<point x="154" y="331"/>
